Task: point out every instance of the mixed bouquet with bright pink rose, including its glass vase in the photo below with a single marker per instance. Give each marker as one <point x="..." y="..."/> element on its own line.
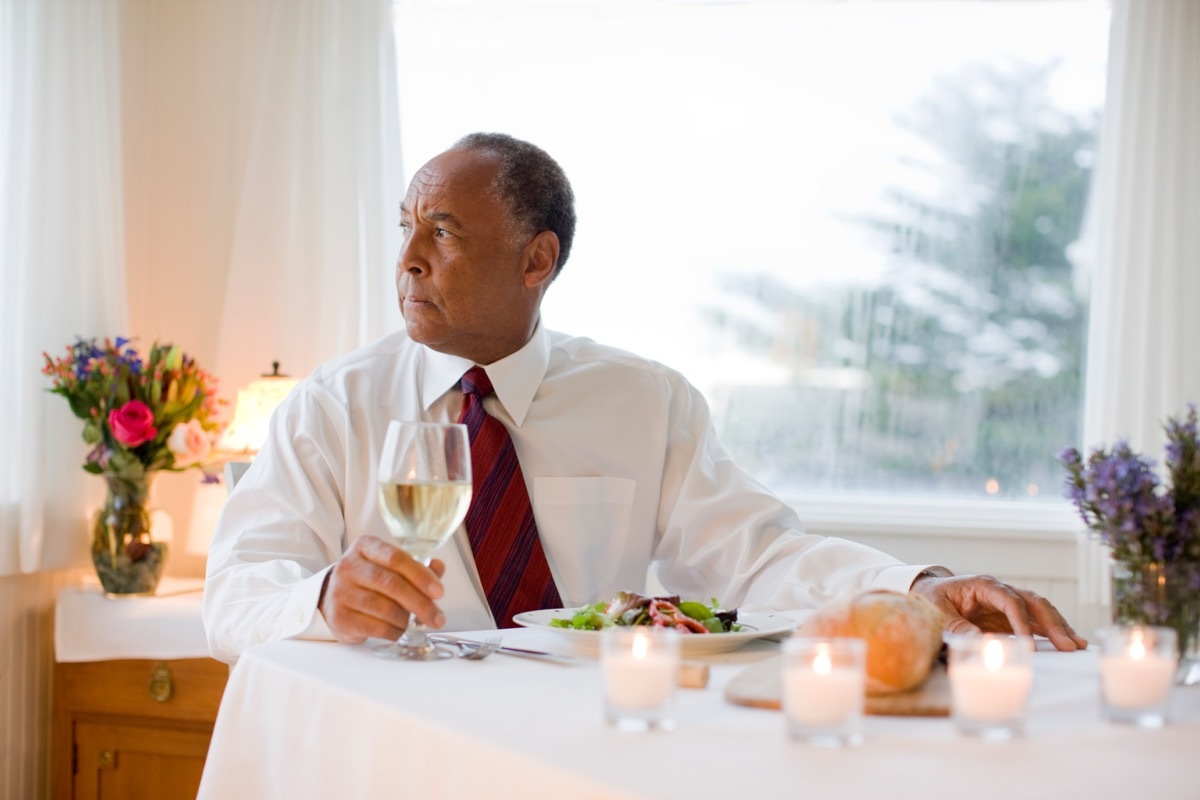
<point x="141" y="417"/>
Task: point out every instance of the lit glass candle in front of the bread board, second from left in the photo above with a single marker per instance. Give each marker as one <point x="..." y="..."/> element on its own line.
<point x="824" y="685"/>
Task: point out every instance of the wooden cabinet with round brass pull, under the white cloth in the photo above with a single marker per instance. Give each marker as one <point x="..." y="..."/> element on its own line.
<point x="134" y="729"/>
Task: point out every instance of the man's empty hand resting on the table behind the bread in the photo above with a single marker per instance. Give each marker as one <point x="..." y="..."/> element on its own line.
<point x="980" y="603"/>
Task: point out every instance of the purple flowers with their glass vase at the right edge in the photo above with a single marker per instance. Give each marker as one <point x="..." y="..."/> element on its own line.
<point x="1153" y="530"/>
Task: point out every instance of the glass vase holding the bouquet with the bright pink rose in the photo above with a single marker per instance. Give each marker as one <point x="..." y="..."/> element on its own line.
<point x="128" y="562"/>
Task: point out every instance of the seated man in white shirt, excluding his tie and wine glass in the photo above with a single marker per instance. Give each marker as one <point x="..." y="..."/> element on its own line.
<point x="617" y="453"/>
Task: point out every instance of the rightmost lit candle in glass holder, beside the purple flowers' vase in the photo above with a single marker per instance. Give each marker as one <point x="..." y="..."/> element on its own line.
<point x="1137" y="670"/>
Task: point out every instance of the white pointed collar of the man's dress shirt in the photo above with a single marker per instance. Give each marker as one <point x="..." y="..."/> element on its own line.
<point x="515" y="377"/>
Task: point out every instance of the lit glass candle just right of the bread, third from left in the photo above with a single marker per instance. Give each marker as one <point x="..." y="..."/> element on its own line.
<point x="991" y="682"/>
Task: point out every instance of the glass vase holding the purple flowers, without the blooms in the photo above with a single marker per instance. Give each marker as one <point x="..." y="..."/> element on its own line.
<point x="1160" y="593"/>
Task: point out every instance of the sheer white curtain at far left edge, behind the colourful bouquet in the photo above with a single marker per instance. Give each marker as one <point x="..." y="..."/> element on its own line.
<point x="62" y="257"/>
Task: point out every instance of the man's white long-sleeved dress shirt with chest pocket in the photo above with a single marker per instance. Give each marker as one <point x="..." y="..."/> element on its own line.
<point x="623" y="470"/>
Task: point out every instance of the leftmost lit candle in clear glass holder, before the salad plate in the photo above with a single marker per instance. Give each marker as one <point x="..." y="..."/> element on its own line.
<point x="641" y="677"/>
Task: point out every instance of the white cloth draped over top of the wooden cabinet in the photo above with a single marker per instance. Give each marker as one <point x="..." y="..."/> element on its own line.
<point x="89" y="627"/>
